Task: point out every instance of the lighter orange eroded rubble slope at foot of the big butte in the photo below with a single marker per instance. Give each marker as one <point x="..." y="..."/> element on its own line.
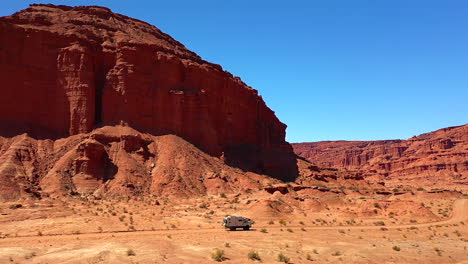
<point x="115" y="161"/>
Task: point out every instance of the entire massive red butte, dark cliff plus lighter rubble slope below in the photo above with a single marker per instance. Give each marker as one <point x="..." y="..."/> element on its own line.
<point x="67" y="71"/>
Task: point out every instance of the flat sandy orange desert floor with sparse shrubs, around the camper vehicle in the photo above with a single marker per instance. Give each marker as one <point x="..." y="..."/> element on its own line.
<point x="421" y="227"/>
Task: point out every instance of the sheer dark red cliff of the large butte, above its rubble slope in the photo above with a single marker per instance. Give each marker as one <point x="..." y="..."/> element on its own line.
<point x="66" y="70"/>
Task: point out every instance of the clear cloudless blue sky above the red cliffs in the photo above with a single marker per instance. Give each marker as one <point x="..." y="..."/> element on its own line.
<point x="331" y="70"/>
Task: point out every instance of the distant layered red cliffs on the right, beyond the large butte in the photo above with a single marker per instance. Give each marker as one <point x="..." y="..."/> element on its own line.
<point x="434" y="157"/>
